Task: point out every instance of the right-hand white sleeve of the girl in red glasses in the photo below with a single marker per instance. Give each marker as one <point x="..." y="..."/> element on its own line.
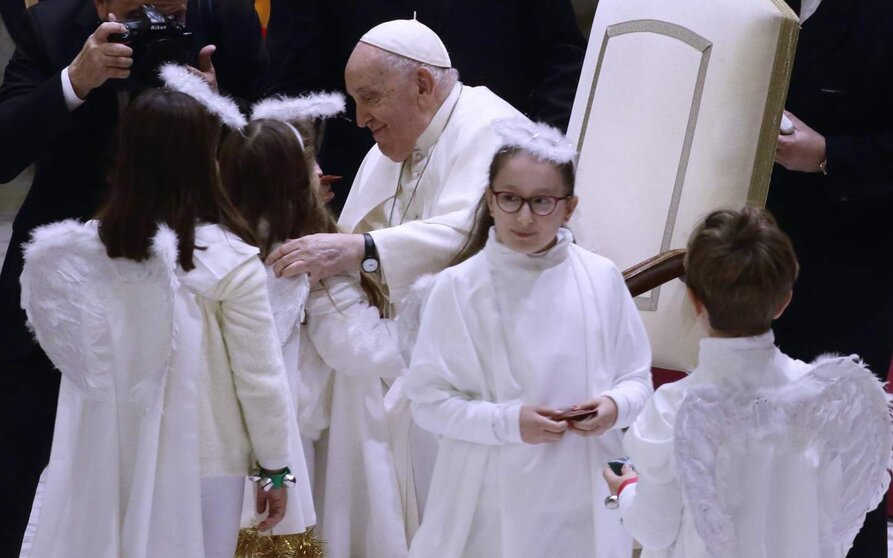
<point x="632" y="357"/>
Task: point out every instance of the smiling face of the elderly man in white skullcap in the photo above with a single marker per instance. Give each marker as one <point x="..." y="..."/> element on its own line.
<point x="388" y="102"/>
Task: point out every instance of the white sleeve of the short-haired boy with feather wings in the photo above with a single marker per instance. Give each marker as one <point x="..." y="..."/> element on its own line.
<point x="651" y="509"/>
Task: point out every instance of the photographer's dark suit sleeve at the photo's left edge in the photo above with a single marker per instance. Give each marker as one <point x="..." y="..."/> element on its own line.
<point x="32" y="105"/>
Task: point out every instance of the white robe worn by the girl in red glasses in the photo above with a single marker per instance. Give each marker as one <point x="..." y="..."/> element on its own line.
<point x="503" y="330"/>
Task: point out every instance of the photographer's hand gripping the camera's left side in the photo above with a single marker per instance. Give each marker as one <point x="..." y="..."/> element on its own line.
<point x="100" y="60"/>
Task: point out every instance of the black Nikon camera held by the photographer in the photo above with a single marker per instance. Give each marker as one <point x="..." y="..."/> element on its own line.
<point x="155" y="39"/>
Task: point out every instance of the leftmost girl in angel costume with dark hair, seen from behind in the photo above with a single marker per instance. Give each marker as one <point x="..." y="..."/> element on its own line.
<point x="158" y="317"/>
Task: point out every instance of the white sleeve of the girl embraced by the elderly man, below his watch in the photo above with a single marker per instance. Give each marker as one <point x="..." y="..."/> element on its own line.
<point x="349" y="334"/>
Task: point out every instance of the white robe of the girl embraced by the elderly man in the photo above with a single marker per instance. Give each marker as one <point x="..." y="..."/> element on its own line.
<point x="352" y="350"/>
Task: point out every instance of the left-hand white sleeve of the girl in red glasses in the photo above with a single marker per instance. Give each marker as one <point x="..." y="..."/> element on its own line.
<point x="444" y="380"/>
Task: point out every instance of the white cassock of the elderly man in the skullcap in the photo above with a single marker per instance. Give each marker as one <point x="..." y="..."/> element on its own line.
<point x="442" y="182"/>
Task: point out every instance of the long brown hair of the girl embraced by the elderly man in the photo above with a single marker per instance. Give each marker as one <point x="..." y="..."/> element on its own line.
<point x="274" y="184"/>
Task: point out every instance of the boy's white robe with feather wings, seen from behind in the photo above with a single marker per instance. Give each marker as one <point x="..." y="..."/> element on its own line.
<point x="757" y="455"/>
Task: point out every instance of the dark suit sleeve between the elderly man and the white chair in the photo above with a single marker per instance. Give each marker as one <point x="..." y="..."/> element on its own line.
<point x="556" y="49"/>
